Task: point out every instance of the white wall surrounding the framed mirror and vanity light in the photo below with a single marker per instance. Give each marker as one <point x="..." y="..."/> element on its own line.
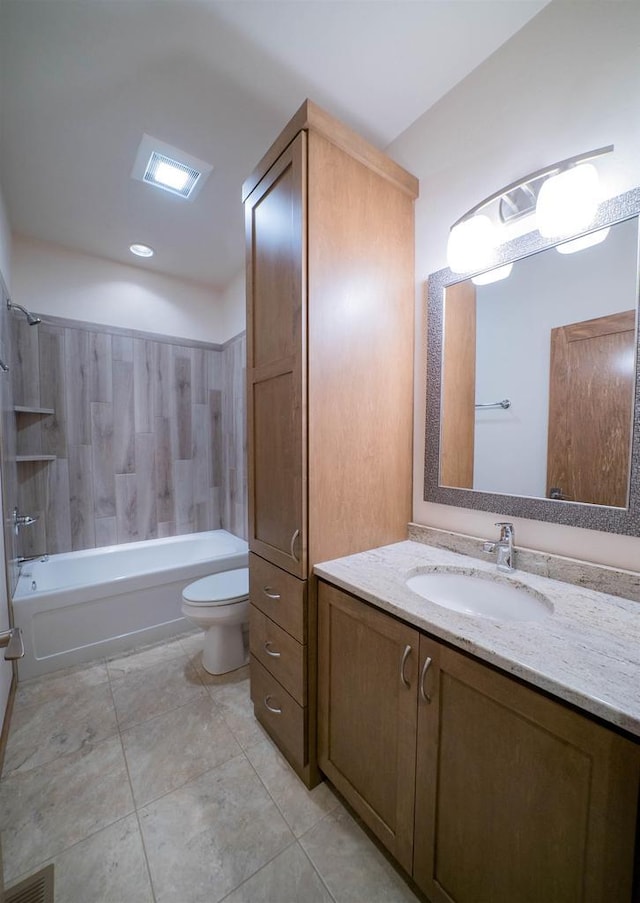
<point x="568" y="82"/>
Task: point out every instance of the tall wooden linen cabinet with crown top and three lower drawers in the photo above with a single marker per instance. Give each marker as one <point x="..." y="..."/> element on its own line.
<point x="330" y="311"/>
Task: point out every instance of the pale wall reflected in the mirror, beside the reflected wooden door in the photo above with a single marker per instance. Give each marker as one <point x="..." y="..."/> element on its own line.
<point x="514" y="322"/>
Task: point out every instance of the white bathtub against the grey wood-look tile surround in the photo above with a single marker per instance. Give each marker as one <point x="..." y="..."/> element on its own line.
<point x="79" y="606"/>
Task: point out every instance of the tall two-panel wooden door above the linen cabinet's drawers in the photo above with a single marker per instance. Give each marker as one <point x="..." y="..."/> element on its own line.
<point x="275" y="218"/>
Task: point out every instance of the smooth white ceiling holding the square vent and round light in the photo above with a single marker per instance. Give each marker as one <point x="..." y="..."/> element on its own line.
<point x="82" y="80"/>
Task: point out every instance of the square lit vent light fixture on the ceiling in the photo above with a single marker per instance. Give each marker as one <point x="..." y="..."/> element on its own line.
<point x="169" y="168"/>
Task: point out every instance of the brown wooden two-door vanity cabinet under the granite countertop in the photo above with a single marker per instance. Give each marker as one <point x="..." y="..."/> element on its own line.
<point x="484" y="789"/>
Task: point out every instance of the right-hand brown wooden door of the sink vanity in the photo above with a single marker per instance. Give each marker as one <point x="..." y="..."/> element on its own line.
<point x="519" y="798"/>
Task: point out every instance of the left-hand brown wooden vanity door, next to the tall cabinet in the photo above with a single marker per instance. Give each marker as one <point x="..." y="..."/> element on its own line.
<point x="367" y="714"/>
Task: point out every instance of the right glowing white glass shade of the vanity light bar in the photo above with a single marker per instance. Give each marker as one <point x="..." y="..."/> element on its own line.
<point x="568" y="201"/>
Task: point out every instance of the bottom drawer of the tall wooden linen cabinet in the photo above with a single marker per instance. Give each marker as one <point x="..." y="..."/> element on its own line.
<point x="285" y="720"/>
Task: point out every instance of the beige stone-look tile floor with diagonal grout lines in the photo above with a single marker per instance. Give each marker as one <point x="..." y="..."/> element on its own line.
<point x="143" y="779"/>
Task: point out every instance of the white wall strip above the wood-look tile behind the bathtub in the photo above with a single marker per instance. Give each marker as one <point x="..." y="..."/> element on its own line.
<point x="53" y="280"/>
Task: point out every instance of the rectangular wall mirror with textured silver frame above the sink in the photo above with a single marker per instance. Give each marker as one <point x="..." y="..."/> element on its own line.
<point x="532" y="381"/>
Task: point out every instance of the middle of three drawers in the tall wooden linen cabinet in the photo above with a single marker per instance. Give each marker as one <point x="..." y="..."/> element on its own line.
<point x="280" y="654"/>
